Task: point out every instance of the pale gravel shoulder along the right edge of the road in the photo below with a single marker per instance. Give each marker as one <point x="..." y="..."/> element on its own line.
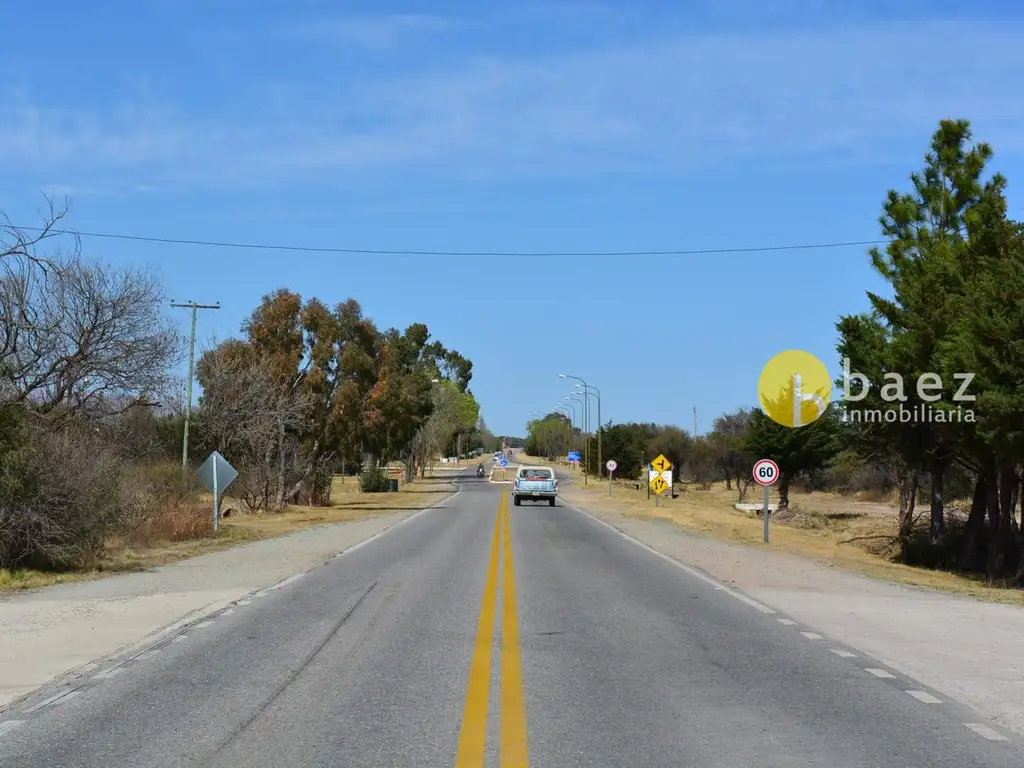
<point x="960" y="647"/>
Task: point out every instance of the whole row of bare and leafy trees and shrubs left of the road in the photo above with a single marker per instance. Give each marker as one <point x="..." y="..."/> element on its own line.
<point x="93" y="404"/>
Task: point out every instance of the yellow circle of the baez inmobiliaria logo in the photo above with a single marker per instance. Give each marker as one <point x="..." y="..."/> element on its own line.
<point x="795" y="389"/>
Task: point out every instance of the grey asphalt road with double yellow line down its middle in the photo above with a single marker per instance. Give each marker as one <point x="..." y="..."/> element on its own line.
<point x="604" y="655"/>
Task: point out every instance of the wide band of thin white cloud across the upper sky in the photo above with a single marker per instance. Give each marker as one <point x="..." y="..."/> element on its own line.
<point x="665" y="105"/>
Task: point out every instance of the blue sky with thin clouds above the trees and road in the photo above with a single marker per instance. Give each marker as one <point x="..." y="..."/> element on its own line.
<point x="487" y="127"/>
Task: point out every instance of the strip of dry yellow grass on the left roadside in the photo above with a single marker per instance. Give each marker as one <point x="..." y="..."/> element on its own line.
<point x="179" y="533"/>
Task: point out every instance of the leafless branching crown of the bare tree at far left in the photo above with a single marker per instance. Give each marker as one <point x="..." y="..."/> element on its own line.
<point x="84" y="338"/>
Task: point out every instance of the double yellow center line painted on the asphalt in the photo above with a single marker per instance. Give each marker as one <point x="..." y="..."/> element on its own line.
<point x="474" y="736"/>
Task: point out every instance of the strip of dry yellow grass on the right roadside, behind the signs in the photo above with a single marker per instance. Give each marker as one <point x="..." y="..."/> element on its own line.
<point x="856" y="534"/>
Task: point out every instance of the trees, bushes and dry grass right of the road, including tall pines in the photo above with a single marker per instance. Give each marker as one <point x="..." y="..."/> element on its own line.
<point x="955" y="265"/>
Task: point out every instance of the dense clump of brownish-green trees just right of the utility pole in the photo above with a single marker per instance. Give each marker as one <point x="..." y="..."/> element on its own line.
<point x="313" y="391"/>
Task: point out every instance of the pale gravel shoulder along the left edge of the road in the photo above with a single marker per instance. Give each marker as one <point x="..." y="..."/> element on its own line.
<point x="64" y="630"/>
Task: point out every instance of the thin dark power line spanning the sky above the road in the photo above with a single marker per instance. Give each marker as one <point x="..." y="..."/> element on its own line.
<point x="404" y="252"/>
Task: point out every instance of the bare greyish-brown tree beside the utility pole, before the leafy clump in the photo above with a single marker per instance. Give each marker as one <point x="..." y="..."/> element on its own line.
<point x="250" y="417"/>
